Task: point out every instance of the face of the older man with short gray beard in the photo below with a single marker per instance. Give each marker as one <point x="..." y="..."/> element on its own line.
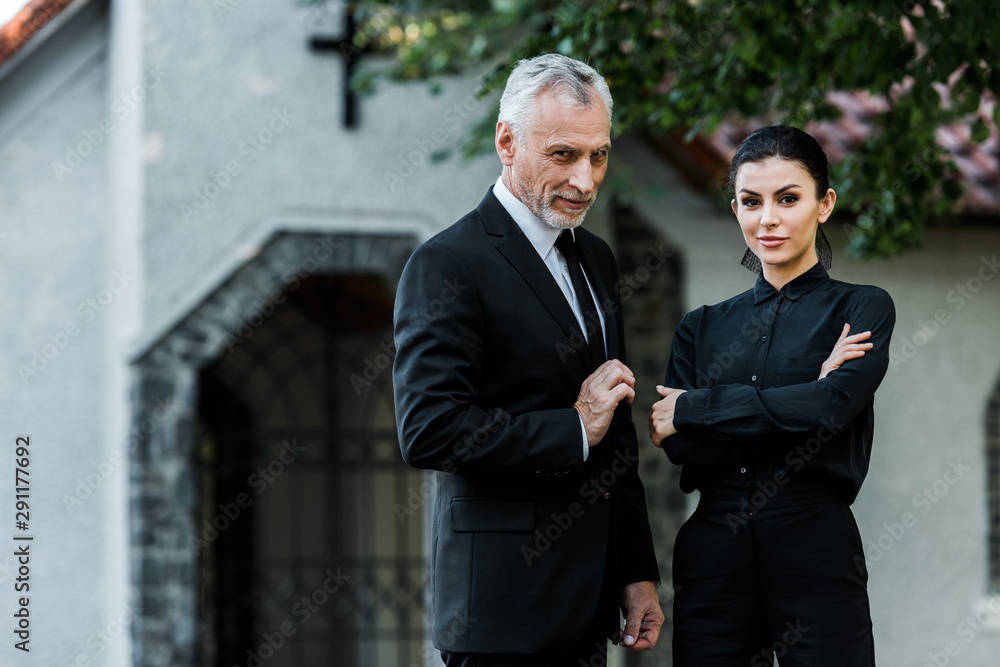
<point x="559" y="163"/>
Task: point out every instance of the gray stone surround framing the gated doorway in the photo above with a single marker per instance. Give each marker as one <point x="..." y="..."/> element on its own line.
<point x="163" y="475"/>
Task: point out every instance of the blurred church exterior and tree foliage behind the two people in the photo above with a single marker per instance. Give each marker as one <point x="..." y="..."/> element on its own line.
<point x="205" y="206"/>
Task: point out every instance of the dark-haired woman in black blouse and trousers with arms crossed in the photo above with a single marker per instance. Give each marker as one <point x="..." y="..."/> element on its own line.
<point x="775" y="430"/>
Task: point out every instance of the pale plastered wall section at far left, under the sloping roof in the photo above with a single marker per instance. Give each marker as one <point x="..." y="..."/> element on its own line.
<point x="62" y="291"/>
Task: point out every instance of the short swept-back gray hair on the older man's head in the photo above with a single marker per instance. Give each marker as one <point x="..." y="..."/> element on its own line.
<point x="570" y="80"/>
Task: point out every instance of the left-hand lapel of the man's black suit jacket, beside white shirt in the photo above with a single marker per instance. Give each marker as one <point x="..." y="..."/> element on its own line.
<point x="518" y="251"/>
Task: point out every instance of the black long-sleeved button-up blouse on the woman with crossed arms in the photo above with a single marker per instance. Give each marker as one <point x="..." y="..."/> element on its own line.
<point x="755" y="410"/>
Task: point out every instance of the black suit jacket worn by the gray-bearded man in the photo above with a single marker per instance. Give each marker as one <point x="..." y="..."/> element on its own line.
<point x="489" y="360"/>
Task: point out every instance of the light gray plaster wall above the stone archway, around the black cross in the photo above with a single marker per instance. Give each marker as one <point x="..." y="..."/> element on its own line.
<point x="243" y="90"/>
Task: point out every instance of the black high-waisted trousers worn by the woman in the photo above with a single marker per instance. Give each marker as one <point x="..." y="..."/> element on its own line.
<point x="783" y="581"/>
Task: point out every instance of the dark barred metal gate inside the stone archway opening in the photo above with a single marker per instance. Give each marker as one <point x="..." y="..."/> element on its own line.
<point x="311" y="528"/>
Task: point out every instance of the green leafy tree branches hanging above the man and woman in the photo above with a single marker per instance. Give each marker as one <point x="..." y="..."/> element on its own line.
<point x="684" y="67"/>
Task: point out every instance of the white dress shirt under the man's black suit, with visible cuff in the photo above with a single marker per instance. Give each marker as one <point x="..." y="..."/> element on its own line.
<point x="543" y="238"/>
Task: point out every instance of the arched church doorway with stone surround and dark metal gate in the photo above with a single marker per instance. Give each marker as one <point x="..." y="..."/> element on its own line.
<point x="265" y="522"/>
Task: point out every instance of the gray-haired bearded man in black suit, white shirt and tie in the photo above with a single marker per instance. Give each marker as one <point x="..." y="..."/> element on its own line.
<point x="517" y="391"/>
